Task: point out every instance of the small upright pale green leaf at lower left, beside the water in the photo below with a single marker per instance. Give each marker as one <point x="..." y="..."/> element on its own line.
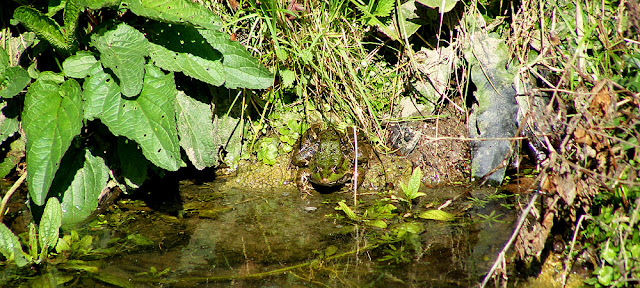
<point x="49" y="228"/>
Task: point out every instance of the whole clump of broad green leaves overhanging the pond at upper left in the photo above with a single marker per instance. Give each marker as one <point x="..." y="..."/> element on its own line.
<point x="112" y="102"/>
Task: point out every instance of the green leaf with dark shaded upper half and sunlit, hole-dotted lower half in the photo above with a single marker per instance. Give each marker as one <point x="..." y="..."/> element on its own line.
<point x="194" y="57"/>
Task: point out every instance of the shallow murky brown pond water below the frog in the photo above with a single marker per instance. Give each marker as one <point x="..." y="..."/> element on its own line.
<point x="223" y="234"/>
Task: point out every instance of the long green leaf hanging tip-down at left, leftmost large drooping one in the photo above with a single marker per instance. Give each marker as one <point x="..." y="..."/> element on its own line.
<point x="52" y="117"/>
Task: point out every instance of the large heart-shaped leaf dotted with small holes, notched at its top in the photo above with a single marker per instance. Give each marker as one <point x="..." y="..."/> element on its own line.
<point x="148" y="119"/>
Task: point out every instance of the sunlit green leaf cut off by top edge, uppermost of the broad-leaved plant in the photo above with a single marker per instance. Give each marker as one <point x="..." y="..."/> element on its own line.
<point x="174" y="11"/>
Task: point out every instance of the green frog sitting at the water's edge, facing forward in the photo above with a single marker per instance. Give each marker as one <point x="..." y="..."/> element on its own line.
<point x="326" y="158"/>
